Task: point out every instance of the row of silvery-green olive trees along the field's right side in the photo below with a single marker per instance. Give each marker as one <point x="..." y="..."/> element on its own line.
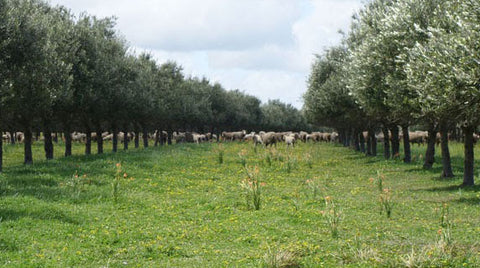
<point x="403" y="63"/>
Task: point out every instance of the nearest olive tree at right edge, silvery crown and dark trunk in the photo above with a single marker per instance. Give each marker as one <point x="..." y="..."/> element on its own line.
<point x="445" y="70"/>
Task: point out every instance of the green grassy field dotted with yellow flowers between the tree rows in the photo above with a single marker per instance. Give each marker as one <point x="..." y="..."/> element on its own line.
<point x="186" y="206"/>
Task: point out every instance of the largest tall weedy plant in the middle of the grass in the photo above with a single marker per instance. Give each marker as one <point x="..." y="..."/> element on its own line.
<point x="252" y="188"/>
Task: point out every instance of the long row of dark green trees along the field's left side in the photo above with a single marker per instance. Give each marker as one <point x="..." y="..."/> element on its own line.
<point x="61" y="73"/>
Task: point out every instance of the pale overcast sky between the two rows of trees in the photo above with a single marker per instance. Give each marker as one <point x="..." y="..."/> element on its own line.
<point x="262" y="47"/>
